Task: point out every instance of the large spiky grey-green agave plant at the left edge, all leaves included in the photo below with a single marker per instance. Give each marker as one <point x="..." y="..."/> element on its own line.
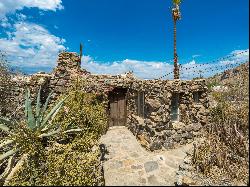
<point x="36" y="127"/>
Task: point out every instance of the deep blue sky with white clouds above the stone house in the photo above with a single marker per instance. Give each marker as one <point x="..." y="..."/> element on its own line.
<point x="120" y="35"/>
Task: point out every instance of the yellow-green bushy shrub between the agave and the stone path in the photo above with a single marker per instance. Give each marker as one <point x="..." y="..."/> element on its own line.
<point x="70" y="158"/>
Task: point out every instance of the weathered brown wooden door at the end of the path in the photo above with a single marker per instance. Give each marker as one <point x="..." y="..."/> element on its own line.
<point x="118" y="108"/>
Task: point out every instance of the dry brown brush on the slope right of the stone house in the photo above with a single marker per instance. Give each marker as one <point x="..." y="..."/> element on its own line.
<point x="225" y="151"/>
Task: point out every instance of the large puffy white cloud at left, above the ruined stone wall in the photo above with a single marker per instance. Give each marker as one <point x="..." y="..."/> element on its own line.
<point x="31" y="45"/>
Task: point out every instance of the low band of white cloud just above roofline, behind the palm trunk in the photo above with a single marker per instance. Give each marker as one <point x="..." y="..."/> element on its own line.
<point x="154" y="70"/>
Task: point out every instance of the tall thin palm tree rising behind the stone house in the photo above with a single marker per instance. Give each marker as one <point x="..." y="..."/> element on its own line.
<point x="176" y="16"/>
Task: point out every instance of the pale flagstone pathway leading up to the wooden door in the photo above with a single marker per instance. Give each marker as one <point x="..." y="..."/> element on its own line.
<point x="129" y="164"/>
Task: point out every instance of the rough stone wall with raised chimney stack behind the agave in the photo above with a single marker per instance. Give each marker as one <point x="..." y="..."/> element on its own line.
<point x="66" y="71"/>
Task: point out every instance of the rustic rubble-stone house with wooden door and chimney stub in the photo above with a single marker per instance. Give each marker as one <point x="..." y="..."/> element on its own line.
<point x="162" y="114"/>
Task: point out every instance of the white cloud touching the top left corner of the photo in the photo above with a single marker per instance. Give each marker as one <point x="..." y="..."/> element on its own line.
<point x="10" y="6"/>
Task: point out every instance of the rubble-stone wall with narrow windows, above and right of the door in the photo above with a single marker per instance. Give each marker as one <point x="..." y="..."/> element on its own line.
<point x="155" y="129"/>
